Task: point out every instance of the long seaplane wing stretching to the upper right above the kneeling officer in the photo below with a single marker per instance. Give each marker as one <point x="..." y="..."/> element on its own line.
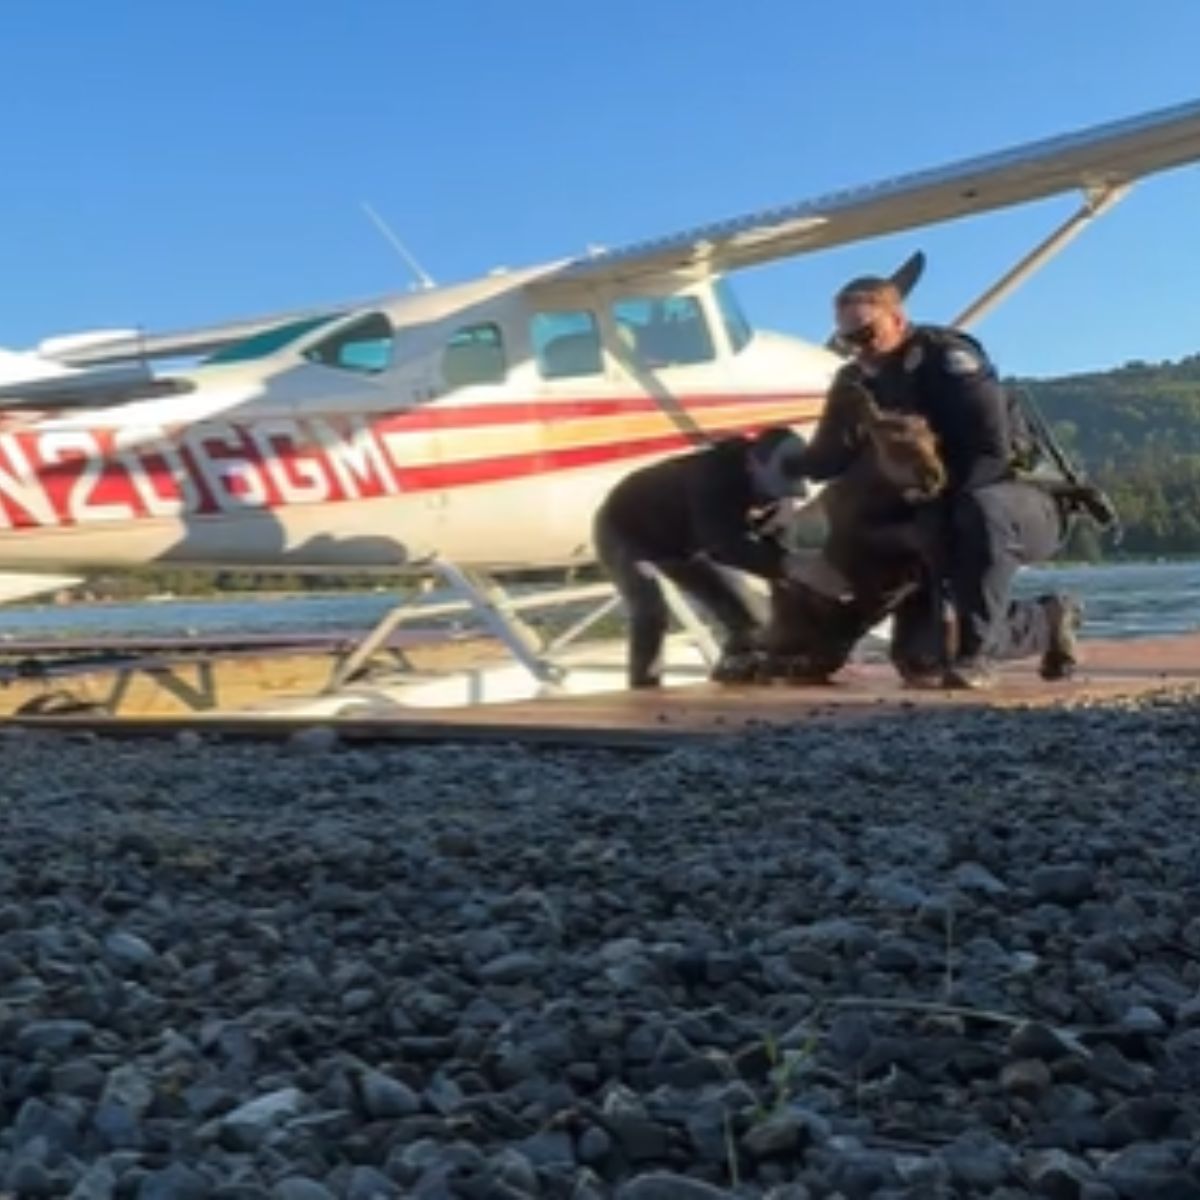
<point x="1095" y="160"/>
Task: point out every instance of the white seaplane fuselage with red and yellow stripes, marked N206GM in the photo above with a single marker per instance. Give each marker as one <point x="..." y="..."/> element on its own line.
<point x="481" y="425"/>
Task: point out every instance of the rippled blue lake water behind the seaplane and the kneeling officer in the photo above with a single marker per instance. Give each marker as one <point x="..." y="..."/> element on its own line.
<point x="1136" y="601"/>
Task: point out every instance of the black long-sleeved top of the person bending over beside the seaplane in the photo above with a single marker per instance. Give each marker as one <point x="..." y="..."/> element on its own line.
<point x="700" y="503"/>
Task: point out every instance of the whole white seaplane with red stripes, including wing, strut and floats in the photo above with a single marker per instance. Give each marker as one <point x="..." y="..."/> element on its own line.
<point x="469" y="433"/>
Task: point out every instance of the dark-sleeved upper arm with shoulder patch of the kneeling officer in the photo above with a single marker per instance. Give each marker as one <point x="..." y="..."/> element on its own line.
<point x="969" y="411"/>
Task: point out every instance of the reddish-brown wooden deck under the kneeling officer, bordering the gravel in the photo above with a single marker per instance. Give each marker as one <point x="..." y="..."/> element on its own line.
<point x="633" y="721"/>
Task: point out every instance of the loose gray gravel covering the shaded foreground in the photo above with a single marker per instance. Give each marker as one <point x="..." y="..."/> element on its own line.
<point x="947" y="956"/>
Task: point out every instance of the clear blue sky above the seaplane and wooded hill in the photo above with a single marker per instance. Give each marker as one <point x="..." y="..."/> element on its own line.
<point x="176" y="164"/>
